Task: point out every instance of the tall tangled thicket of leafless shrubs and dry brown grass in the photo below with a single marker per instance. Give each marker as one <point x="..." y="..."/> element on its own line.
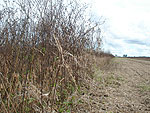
<point x="44" y="47"/>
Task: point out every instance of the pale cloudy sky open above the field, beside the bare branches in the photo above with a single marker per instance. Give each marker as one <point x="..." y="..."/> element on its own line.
<point x="127" y="26"/>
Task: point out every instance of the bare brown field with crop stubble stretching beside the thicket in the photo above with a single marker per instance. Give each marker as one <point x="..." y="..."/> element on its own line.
<point x="123" y="86"/>
